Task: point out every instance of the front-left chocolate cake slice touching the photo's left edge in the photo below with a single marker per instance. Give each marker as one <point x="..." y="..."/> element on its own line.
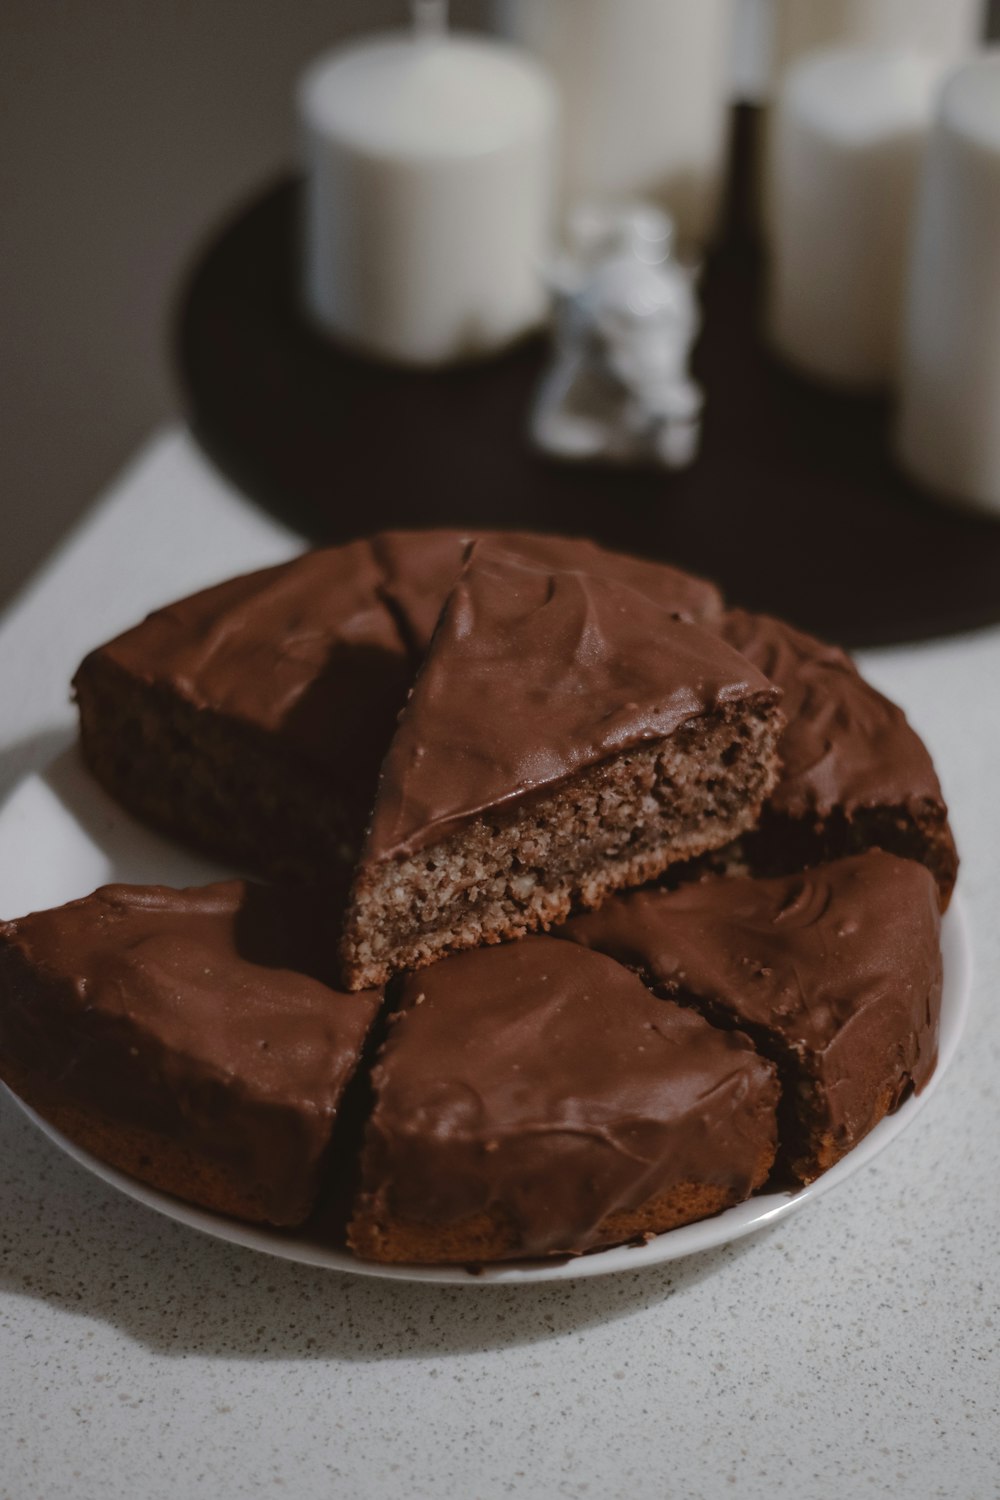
<point x="190" y="1039"/>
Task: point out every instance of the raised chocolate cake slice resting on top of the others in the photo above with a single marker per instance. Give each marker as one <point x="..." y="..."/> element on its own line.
<point x="564" y="739"/>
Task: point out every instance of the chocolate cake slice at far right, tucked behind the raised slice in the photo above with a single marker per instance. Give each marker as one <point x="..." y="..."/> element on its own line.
<point x="854" y="773"/>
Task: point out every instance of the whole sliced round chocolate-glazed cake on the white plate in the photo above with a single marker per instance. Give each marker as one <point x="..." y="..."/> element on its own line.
<point x="591" y="907"/>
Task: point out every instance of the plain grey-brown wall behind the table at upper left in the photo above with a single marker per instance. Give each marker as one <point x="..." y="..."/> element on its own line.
<point x="130" y="130"/>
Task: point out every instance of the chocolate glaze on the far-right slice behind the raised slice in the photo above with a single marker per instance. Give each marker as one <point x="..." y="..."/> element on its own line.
<point x="845" y="746"/>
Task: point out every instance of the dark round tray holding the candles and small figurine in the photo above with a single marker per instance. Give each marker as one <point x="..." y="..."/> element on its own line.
<point x="794" y="506"/>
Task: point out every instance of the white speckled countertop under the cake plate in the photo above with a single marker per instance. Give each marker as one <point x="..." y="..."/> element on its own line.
<point x="851" y="1352"/>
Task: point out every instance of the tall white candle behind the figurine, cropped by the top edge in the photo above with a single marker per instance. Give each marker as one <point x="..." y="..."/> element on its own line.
<point x="645" y="92"/>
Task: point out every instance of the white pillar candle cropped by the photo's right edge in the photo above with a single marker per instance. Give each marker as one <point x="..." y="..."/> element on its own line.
<point x="950" y="413"/>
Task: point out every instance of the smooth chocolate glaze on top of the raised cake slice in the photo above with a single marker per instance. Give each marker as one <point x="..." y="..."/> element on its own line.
<point x="533" y="676"/>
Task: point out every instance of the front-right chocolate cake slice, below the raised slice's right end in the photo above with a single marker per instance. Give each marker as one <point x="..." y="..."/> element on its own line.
<point x="834" y="974"/>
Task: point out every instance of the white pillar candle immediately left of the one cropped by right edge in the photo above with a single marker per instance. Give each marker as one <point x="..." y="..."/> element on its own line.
<point x="846" y="137"/>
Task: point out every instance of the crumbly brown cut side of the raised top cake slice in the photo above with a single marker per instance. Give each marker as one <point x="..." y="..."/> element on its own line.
<point x="528" y="868"/>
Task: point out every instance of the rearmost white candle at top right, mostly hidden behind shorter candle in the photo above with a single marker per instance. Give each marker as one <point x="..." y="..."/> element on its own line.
<point x="945" y="28"/>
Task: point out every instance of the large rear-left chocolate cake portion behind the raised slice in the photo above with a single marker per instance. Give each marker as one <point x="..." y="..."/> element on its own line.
<point x="251" y="719"/>
